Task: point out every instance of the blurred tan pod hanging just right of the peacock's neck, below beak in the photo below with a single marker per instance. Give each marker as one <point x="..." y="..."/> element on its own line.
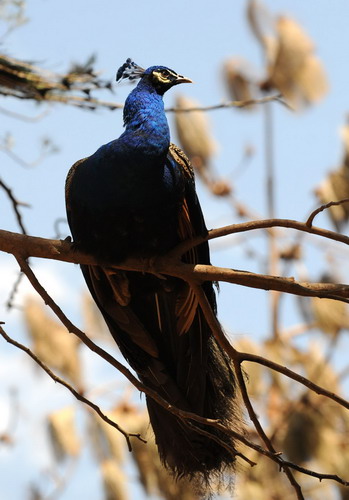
<point x="194" y="133"/>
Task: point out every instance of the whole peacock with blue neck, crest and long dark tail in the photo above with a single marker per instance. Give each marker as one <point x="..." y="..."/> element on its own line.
<point x="135" y="197"/>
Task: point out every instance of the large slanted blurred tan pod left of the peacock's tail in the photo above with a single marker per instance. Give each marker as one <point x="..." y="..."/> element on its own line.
<point x="53" y="344"/>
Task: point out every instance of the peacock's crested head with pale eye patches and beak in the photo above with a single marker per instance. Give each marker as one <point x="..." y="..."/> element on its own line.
<point x="160" y="78"/>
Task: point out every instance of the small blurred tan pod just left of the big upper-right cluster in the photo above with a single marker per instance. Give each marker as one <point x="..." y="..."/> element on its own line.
<point x="238" y="81"/>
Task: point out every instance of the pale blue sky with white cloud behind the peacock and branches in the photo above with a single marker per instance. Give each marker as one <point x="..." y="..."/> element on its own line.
<point x="194" y="38"/>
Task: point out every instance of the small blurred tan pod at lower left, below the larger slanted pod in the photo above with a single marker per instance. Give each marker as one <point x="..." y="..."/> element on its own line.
<point x="63" y="434"/>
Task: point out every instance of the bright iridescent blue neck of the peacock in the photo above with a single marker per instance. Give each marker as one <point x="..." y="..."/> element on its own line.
<point x="147" y="130"/>
